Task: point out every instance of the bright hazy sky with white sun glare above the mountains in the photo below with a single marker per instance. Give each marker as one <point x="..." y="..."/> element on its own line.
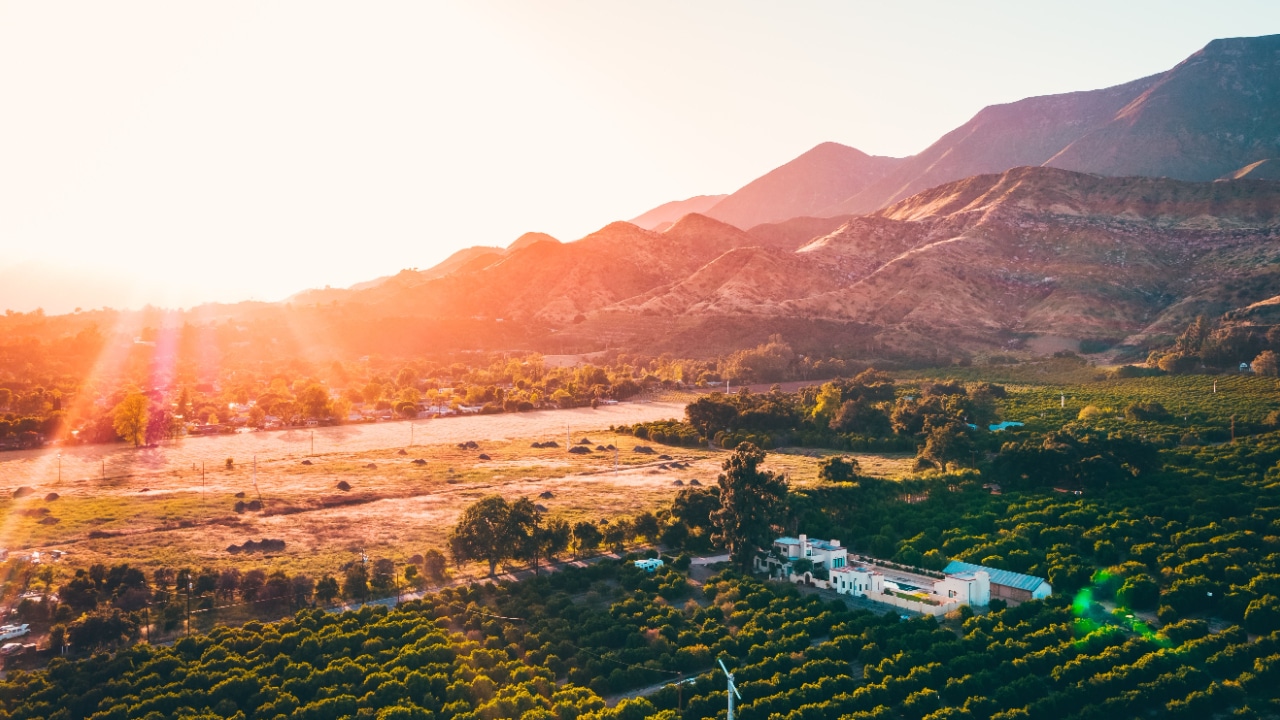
<point x="181" y="153"/>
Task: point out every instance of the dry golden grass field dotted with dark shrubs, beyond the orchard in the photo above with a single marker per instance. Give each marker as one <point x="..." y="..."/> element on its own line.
<point x="176" y="516"/>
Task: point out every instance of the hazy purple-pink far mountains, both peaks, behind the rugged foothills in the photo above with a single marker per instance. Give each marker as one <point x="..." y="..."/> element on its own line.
<point x="1215" y="115"/>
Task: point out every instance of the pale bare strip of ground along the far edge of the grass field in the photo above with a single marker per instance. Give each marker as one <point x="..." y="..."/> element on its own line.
<point x="90" y="462"/>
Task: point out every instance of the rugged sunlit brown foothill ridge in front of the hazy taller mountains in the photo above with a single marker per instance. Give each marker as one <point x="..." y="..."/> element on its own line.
<point x="986" y="262"/>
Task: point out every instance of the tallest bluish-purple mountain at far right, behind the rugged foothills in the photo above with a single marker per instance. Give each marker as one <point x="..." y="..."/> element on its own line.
<point x="1210" y="116"/>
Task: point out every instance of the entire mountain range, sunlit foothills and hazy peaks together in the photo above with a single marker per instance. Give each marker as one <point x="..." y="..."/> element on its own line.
<point x="1113" y="215"/>
